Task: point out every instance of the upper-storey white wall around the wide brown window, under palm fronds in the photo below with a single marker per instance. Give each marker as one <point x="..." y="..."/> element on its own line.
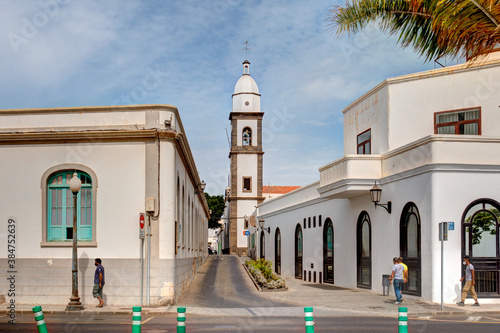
<point x="414" y="102"/>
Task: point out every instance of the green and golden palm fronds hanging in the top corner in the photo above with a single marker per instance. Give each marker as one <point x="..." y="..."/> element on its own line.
<point x="432" y="27"/>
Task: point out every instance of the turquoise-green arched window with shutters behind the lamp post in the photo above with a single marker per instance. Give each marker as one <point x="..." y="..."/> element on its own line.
<point x="60" y="207"/>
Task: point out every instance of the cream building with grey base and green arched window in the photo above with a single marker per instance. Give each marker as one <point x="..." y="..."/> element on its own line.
<point x="123" y="155"/>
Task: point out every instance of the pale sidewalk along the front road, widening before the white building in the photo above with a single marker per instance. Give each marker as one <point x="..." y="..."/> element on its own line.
<point x="327" y="300"/>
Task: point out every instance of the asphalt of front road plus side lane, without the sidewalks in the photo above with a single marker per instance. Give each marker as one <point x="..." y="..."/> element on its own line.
<point x="222" y="283"/>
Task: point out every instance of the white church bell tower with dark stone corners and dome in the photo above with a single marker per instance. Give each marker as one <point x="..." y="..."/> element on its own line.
<point x="246" y="157"/>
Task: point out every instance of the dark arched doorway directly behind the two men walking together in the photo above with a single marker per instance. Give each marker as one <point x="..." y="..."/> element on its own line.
<point x="410" y="248"/>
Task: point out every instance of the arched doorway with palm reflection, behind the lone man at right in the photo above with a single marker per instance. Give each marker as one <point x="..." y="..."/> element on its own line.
<point x="480" y="241"/>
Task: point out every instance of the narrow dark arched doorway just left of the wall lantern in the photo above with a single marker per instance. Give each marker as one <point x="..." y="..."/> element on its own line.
<point x="364" y="251"/>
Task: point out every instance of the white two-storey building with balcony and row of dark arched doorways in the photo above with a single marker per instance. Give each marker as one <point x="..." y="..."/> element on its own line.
<point x="431" y="141"/>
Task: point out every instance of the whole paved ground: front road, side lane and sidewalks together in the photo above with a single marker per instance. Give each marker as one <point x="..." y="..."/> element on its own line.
<point x="222" y="298"/>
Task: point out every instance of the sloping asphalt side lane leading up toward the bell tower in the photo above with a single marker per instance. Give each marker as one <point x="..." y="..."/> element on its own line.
<point x="224" y="283"/>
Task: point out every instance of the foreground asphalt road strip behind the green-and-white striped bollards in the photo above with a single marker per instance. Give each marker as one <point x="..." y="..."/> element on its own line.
<point x="121" y="323"/>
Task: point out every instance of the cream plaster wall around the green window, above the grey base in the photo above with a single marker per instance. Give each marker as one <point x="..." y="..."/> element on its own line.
<point x="120" y="197"/>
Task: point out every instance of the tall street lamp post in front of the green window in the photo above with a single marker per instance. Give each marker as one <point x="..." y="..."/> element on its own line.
<point x="75" y="184"/>
